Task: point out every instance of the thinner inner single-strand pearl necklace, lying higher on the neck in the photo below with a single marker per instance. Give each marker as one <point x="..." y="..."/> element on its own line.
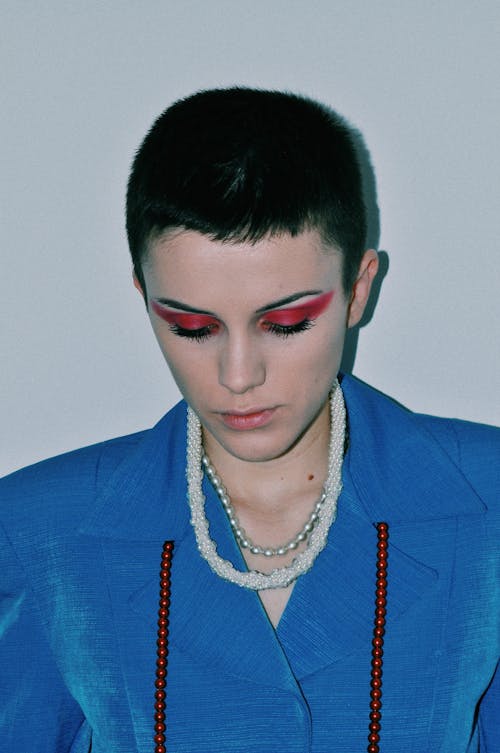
<point x="240" y="534"/>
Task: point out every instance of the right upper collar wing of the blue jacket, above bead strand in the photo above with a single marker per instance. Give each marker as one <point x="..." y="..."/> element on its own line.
<point x="399" y="469"/>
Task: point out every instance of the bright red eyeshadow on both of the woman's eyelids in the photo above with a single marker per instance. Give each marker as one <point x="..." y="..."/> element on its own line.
<point x="285" y="317"/>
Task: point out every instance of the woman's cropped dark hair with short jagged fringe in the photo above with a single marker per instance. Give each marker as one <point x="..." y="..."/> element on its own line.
<point x="239" y="164"/>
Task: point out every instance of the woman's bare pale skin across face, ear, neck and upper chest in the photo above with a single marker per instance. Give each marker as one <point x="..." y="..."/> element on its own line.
<point x="273" y="462"/>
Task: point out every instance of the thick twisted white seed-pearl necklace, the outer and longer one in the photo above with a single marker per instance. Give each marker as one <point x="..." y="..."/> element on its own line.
<point x="279" y="577"/>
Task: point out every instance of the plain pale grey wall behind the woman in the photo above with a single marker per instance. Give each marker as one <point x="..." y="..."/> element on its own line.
<point x="81" y="84"/>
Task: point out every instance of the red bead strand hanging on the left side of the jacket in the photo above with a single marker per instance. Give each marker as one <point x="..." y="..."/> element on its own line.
<point x="162" y="648"/>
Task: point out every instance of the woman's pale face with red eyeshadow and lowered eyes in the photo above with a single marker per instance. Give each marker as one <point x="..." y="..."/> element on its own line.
<point x="253" y="335"/>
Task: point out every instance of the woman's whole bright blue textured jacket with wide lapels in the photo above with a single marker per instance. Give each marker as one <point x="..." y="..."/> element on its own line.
<point x="80" y="549"/>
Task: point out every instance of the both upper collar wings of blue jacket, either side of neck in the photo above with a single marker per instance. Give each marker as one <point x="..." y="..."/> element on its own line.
<point x="399" y="470"/>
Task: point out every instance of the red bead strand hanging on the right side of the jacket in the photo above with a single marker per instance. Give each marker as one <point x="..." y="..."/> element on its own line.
<point x="378" y="640"/>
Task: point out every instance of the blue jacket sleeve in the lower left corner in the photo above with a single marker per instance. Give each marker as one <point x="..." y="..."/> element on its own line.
<point x="36" y="710"/>
